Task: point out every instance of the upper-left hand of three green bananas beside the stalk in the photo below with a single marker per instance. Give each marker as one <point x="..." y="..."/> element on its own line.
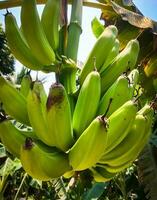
<point x="35" y="43"/>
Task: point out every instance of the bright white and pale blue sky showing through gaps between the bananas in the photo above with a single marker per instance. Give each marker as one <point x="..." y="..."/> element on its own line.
<point x="87" y="39"/>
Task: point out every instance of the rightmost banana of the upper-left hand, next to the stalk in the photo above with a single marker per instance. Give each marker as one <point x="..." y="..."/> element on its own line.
<point x="50" y="22"/>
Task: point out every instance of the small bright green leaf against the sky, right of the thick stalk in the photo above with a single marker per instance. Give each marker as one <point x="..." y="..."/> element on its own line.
<point x="97" y="27"/>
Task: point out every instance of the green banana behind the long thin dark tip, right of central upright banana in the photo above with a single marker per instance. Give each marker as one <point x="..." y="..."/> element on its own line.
<point x="116" y="96"/>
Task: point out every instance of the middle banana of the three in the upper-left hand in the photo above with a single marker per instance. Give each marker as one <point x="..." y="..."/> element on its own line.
<point x="34" y="33"/>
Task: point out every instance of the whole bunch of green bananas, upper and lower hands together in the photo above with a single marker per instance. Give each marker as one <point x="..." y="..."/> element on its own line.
<point x="101" y="127"/>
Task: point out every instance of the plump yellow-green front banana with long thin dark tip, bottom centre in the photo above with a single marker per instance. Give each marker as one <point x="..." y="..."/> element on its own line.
<point x="90" y="146"/>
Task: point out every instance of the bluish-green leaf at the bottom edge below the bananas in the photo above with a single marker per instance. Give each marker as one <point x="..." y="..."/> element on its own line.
<point x="95" y="192"/>
